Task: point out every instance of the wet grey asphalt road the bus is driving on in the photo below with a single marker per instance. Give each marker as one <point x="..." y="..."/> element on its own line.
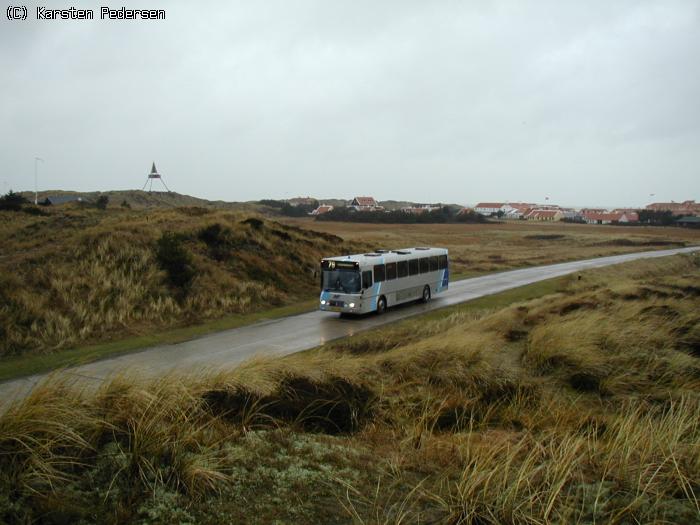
<point x="300" y="332"/>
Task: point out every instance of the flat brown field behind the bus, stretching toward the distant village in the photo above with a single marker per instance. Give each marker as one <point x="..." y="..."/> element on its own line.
<point x="481" y="248"/>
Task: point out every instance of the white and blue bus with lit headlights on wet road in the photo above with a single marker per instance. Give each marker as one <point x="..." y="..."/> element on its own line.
<point x="373" y="282"/>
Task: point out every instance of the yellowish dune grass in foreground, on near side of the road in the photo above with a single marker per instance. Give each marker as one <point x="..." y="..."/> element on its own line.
<point x="579" y="406"/>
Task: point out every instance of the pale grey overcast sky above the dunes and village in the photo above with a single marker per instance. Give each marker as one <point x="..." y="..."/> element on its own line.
<point x="587" y="103"/>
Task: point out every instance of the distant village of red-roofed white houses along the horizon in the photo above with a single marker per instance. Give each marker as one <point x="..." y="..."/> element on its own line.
<point x="687" y="213"/>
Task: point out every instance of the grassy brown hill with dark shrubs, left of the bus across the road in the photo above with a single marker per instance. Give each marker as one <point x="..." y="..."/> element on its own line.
<point x="79" y="275"/>
